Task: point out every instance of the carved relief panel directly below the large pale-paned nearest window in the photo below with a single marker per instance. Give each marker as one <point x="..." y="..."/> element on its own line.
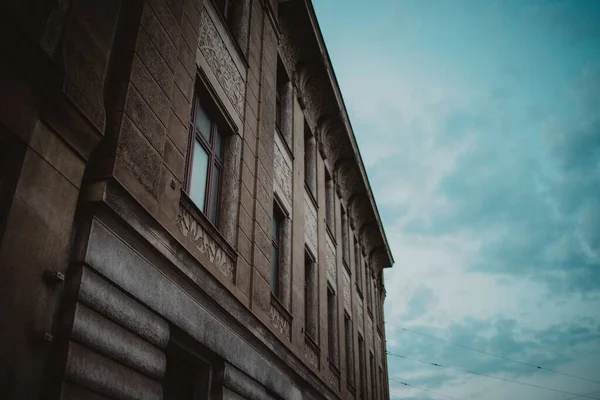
<point x="206" y="245"/>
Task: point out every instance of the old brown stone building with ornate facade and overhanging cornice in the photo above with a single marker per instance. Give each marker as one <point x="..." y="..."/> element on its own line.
<point x="184" y="213"/>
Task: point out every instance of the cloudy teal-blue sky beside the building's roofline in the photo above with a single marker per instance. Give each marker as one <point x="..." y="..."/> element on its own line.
<point x="479" y="124"/>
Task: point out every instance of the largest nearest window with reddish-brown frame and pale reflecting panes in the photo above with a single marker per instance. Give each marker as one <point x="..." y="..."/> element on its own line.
<point x="205" y="161"/>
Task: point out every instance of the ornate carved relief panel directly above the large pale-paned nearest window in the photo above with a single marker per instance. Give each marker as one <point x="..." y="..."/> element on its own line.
<point x="220" y="61"/>
